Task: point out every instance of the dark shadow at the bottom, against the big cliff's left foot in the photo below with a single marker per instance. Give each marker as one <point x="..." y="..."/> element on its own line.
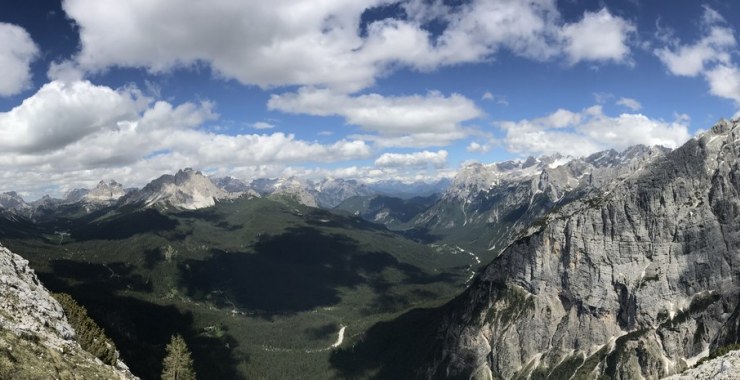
<point x="396" y="349"/>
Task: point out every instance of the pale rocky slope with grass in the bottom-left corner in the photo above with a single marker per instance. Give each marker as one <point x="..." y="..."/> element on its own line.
<point x="36" y="341"/>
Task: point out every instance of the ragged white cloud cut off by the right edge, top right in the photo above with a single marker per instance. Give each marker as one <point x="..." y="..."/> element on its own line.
<point x="710" y="57"/>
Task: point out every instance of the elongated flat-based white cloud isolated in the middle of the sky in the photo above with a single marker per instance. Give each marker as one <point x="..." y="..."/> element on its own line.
<point x="429" y="120"/>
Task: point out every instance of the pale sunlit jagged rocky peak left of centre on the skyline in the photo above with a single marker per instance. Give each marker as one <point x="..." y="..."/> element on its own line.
<point x="187" y="190"/>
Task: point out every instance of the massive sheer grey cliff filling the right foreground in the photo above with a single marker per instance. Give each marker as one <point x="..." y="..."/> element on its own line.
<point x="637" y="280"/>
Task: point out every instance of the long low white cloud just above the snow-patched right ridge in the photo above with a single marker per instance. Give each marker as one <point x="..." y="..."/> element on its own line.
<point x="589" y="131"/>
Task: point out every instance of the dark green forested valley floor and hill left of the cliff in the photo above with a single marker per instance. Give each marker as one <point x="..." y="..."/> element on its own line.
<point x="257" y="287"/>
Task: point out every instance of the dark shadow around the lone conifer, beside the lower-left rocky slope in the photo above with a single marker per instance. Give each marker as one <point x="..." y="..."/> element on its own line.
<point x="141" y="329"/>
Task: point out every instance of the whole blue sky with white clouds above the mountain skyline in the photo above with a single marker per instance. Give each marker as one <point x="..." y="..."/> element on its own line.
<point x="372" y="90"/>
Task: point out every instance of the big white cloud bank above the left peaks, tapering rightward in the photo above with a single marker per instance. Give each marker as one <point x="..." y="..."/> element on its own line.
<point x="76" y="132"/>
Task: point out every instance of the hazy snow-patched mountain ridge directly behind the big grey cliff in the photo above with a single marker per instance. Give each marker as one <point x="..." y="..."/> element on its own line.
<point x="487" y="205"/>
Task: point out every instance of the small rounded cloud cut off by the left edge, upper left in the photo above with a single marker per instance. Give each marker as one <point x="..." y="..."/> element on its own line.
<point x="17" y="51"/>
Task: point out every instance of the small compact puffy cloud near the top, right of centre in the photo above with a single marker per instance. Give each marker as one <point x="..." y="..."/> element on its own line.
<point x="598" y="36"/>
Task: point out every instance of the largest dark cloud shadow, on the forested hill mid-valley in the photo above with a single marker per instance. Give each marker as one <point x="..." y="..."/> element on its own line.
<point x="298" y="270"/>
